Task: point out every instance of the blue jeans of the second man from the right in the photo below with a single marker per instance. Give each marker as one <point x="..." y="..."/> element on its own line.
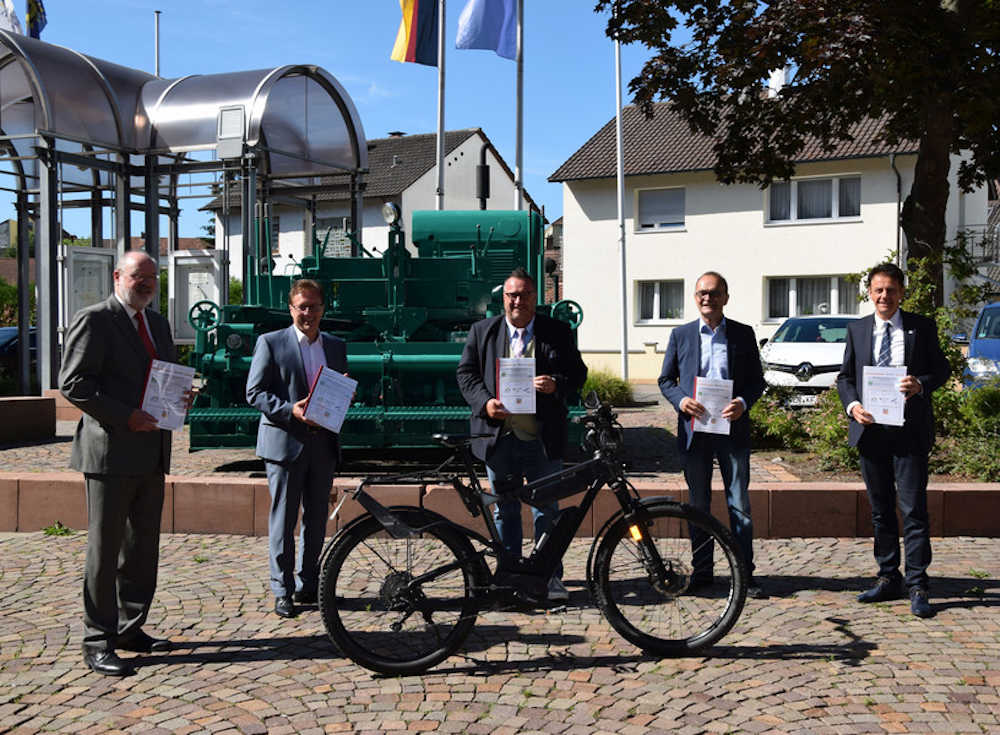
<point x="734" y="463"/>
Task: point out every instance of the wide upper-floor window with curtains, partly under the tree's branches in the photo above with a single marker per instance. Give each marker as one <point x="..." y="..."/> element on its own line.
<point x="814" y="199"/>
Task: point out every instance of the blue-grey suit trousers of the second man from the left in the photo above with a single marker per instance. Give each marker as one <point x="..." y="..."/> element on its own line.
<point x="306" y="482"/>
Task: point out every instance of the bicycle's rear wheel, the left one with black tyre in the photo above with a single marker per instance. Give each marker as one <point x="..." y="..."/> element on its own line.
<point x="400" y="606"/>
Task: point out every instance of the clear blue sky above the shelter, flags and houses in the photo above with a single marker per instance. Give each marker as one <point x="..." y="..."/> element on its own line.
<point x="568" y="77"/>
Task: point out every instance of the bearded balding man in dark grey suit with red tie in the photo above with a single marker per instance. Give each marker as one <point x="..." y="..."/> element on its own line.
<point x="123" y="455"/>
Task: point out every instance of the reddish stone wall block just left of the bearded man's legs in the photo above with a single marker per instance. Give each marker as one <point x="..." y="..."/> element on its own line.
<point x="47" y="497"/>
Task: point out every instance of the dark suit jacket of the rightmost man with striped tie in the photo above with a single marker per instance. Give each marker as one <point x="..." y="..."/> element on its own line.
<point x="923" y="358"/>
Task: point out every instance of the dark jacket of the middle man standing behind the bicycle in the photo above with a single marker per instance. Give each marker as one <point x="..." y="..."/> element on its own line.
<point x="555" y="355"/>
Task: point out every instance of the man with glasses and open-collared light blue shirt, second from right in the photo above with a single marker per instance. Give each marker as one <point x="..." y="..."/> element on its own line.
<point x="715" y="347"/>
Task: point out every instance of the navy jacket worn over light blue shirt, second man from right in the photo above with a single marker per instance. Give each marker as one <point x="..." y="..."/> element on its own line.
<point x="682" y="363"/>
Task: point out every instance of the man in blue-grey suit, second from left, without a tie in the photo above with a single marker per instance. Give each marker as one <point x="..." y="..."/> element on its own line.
<point x="300" y="456"/>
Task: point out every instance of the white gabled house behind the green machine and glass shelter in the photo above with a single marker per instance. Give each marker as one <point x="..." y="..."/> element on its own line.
<point x="402" y="170"/>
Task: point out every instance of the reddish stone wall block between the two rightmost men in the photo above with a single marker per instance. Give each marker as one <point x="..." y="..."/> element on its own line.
<point x="806" y="512"/>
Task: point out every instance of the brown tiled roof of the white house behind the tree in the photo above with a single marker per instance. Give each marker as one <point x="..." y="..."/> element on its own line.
<point x="665" y="144"/>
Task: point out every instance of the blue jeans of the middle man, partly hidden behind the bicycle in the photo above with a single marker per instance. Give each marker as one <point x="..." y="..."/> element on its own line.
<point x="511" y="463"/>
